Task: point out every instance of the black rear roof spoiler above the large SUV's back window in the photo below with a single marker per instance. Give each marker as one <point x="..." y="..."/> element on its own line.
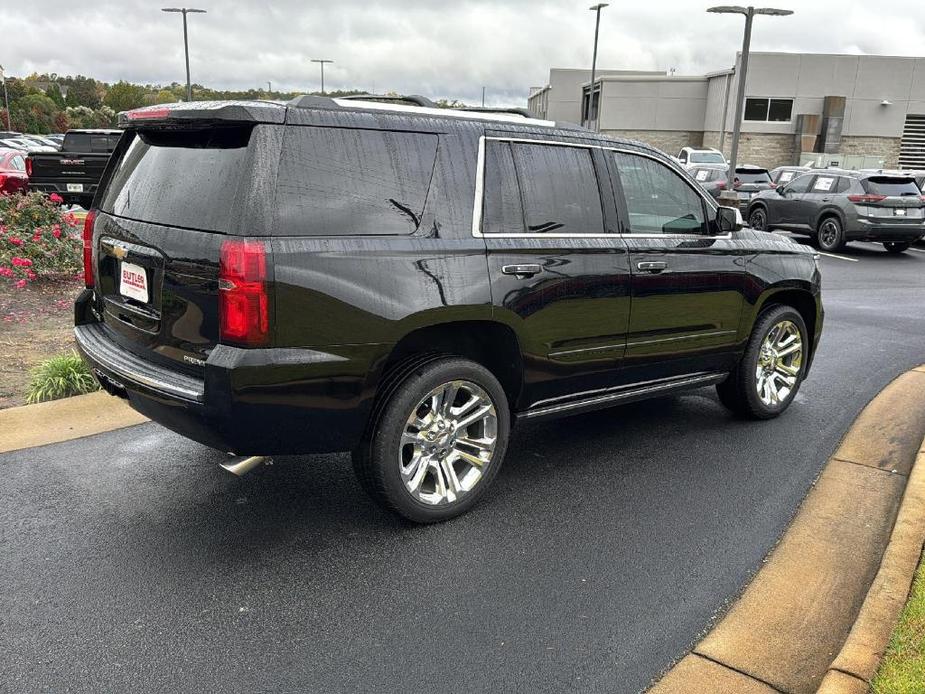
<point x="187" y="111"/>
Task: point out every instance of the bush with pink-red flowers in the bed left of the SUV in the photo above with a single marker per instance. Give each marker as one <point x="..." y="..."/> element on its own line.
<point x="37" y="239"/>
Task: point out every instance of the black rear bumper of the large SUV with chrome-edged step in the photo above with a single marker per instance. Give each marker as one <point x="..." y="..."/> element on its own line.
<point x="249" y="402"/>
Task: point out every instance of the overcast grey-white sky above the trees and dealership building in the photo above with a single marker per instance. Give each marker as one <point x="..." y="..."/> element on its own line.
<point x="437" y="48"/>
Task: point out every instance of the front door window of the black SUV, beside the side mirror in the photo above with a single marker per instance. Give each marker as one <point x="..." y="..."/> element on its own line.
<point x="658" y="200"/>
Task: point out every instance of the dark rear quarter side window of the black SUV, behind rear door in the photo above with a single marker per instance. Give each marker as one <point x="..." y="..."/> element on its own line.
<point x="342" y="182"/>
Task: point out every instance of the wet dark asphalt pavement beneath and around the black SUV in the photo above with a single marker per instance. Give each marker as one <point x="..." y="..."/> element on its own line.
<point x="608" y="544"/>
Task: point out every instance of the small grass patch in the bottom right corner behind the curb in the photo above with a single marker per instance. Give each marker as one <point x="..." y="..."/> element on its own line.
<point x="903" y="668"/>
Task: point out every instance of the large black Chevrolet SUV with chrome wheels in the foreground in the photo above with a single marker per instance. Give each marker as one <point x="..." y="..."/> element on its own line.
<point x="407" y="282"/>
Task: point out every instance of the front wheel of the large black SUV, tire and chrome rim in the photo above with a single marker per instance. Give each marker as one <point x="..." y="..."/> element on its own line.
<point x="771" y="370"/>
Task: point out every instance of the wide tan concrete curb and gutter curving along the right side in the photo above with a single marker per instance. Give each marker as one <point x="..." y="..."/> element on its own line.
<point x="821" y="609"/>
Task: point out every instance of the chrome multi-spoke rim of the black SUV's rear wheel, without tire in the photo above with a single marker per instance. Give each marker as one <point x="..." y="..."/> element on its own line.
<point x="447" y="443"/>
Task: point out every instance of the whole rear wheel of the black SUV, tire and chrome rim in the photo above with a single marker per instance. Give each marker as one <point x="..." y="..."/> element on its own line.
<point x="437" y="442"/>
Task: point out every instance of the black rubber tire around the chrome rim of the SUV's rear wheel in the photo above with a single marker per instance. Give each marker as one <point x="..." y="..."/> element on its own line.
<point x="384" y="443"/>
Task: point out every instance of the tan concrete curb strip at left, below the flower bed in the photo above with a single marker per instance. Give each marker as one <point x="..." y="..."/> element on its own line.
<point x="63" y="420"/>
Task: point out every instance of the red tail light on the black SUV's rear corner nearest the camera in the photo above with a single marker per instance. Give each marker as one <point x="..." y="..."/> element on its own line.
<point x="243" y="301"/>
